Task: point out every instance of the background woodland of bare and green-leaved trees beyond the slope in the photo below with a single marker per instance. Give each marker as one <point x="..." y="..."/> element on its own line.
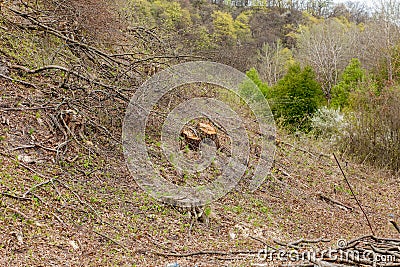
<point x="326" y="68"/>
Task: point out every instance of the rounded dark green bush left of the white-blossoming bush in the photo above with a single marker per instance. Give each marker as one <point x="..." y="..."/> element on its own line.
<point x="296" y="97"/>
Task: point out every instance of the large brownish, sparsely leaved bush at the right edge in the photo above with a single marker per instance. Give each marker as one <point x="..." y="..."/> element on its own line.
<point x="373" y="132"/>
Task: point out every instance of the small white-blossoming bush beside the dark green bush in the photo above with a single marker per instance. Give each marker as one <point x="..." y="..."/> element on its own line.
<point x="328" y="123"/>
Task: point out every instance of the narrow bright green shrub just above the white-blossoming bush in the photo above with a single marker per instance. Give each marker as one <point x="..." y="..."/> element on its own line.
<point x="351" y="76"/>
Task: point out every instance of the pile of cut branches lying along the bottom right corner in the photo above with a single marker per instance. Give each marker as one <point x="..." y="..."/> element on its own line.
<point x="363" y="251"/>
